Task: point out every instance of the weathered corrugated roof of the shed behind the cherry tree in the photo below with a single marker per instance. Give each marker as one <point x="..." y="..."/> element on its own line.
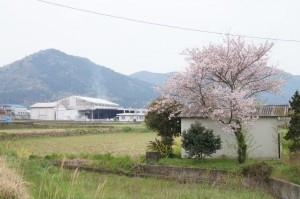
<point x="262" y="111"/>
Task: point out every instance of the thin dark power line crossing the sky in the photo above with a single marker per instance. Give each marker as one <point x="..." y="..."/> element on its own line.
<point x="166" y="25"/>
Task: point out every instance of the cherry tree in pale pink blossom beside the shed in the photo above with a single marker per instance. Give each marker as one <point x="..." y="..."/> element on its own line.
<point x="222" y="82"/>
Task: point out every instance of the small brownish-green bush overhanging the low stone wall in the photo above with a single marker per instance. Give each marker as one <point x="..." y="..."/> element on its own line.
<point x="260" y="171"/>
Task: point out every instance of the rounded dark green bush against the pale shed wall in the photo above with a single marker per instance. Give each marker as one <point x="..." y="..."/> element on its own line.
<point x="200" y="142"/>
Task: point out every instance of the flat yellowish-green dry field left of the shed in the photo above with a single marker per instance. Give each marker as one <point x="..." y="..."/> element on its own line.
<point x="131" y="143"/>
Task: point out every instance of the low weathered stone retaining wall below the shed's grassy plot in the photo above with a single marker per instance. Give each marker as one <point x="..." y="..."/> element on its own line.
<point x="276" y="187"/>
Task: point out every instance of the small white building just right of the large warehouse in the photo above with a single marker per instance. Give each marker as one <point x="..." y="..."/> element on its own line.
<point x="132" y="115"/>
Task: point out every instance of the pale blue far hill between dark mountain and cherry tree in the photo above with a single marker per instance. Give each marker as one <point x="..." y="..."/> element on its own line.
<point x="154" y="78"/>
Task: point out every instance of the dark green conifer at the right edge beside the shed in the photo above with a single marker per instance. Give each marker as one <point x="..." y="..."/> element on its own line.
<point x="293" y="134"/>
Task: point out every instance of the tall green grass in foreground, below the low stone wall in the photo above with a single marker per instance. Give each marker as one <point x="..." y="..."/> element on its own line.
<point x="47" y="181"/>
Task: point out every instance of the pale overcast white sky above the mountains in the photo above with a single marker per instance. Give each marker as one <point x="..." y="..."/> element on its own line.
<point x="28" y="26"/>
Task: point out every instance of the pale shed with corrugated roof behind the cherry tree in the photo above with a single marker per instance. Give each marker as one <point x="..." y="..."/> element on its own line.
<point x="263" y="137"/>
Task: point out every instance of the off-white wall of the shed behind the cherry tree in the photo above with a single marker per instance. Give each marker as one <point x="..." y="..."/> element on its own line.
<point x="262" y="137"/>
